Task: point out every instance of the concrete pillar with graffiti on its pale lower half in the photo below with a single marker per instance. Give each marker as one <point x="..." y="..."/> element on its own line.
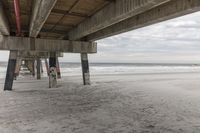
<point x="52" y="71"/>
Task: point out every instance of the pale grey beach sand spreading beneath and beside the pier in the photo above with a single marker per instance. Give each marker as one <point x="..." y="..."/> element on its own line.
<point x="153" y="103"/>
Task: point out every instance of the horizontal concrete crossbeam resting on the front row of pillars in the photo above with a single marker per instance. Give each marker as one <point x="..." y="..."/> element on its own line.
<point x="46" y="45"/>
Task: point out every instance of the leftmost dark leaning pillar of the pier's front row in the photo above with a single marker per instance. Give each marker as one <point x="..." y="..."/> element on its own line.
<point x="10" y="70"/>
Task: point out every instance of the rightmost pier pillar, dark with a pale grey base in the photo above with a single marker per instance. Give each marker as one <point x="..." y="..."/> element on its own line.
<point x="85" y="69"/>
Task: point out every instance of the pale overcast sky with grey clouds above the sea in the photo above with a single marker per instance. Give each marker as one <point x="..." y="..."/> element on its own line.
<point x="176" y="40"/>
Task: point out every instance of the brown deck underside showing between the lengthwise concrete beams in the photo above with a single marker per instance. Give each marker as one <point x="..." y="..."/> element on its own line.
<point x="65" y="15"/>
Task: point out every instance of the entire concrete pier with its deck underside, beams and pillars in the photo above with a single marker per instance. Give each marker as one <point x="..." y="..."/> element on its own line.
<point x="44" y="29"/>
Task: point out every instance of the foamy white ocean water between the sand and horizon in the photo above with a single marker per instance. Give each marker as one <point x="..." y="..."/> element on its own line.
<point x="68" y="69"/>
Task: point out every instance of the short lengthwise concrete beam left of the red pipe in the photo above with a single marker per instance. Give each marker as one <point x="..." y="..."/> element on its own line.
<point x="4" y="26"/>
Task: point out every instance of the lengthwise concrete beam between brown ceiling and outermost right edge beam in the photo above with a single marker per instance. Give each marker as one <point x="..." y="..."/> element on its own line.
<point x="113" y="13"/>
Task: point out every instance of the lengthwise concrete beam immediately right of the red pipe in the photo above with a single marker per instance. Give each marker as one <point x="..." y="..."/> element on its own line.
<point x="40" y="13"/>
